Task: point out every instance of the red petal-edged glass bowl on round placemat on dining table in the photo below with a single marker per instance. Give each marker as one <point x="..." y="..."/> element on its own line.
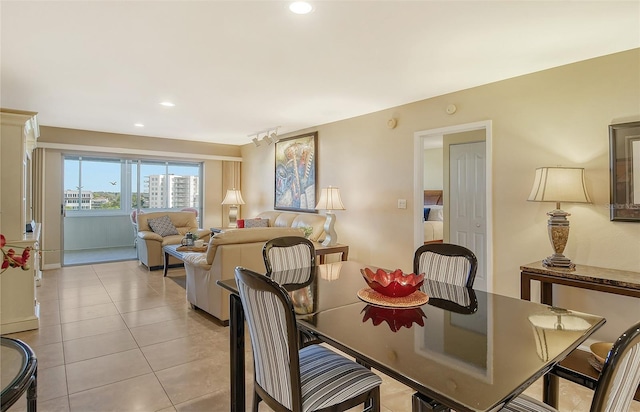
<point x="393" y="289"/>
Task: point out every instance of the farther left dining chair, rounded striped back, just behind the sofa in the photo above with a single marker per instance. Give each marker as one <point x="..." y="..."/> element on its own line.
<point x="282" y="254"/>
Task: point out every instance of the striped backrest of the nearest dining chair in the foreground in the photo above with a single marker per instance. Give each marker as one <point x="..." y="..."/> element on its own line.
<point x="274" y="340"/>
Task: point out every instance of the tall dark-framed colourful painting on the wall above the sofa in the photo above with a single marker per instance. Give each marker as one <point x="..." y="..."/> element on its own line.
<point x="295" y="173"/>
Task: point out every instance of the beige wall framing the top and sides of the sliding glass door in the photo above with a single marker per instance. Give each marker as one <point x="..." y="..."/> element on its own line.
<point x="60" y="141"/>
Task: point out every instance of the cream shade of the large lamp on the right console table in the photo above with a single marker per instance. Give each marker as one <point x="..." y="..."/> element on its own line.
<point x="559" y="184"/>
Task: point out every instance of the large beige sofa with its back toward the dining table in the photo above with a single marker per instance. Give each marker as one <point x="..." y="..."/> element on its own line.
<point x="226" y="250"/>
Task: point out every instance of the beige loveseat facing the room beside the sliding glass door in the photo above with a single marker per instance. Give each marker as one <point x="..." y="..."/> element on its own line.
<point x="150" y="244"/>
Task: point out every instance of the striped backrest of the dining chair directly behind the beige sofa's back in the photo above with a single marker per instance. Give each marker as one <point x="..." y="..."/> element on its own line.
<point x="288" y="252"/>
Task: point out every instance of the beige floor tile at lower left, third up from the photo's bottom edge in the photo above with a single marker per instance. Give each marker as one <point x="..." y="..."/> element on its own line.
<point x="98" y="345"/>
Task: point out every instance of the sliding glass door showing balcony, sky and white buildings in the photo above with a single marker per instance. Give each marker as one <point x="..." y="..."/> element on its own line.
<point x="100" y="194"/>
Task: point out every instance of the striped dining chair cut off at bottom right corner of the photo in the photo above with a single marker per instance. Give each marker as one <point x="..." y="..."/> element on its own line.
<point x="616" y="385"/>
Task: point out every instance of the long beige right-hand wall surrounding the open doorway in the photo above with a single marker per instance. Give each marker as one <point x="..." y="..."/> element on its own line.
<point x="554" y="117"/>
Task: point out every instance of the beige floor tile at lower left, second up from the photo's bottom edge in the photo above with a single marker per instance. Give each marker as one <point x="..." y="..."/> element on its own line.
<point x="92" y="373"/>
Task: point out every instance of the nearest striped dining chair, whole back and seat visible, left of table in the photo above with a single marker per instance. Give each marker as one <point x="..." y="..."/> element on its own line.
<point x="287" y="378"/>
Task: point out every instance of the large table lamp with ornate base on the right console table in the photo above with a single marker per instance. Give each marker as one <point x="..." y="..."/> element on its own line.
<point x="559" y="184"/>
